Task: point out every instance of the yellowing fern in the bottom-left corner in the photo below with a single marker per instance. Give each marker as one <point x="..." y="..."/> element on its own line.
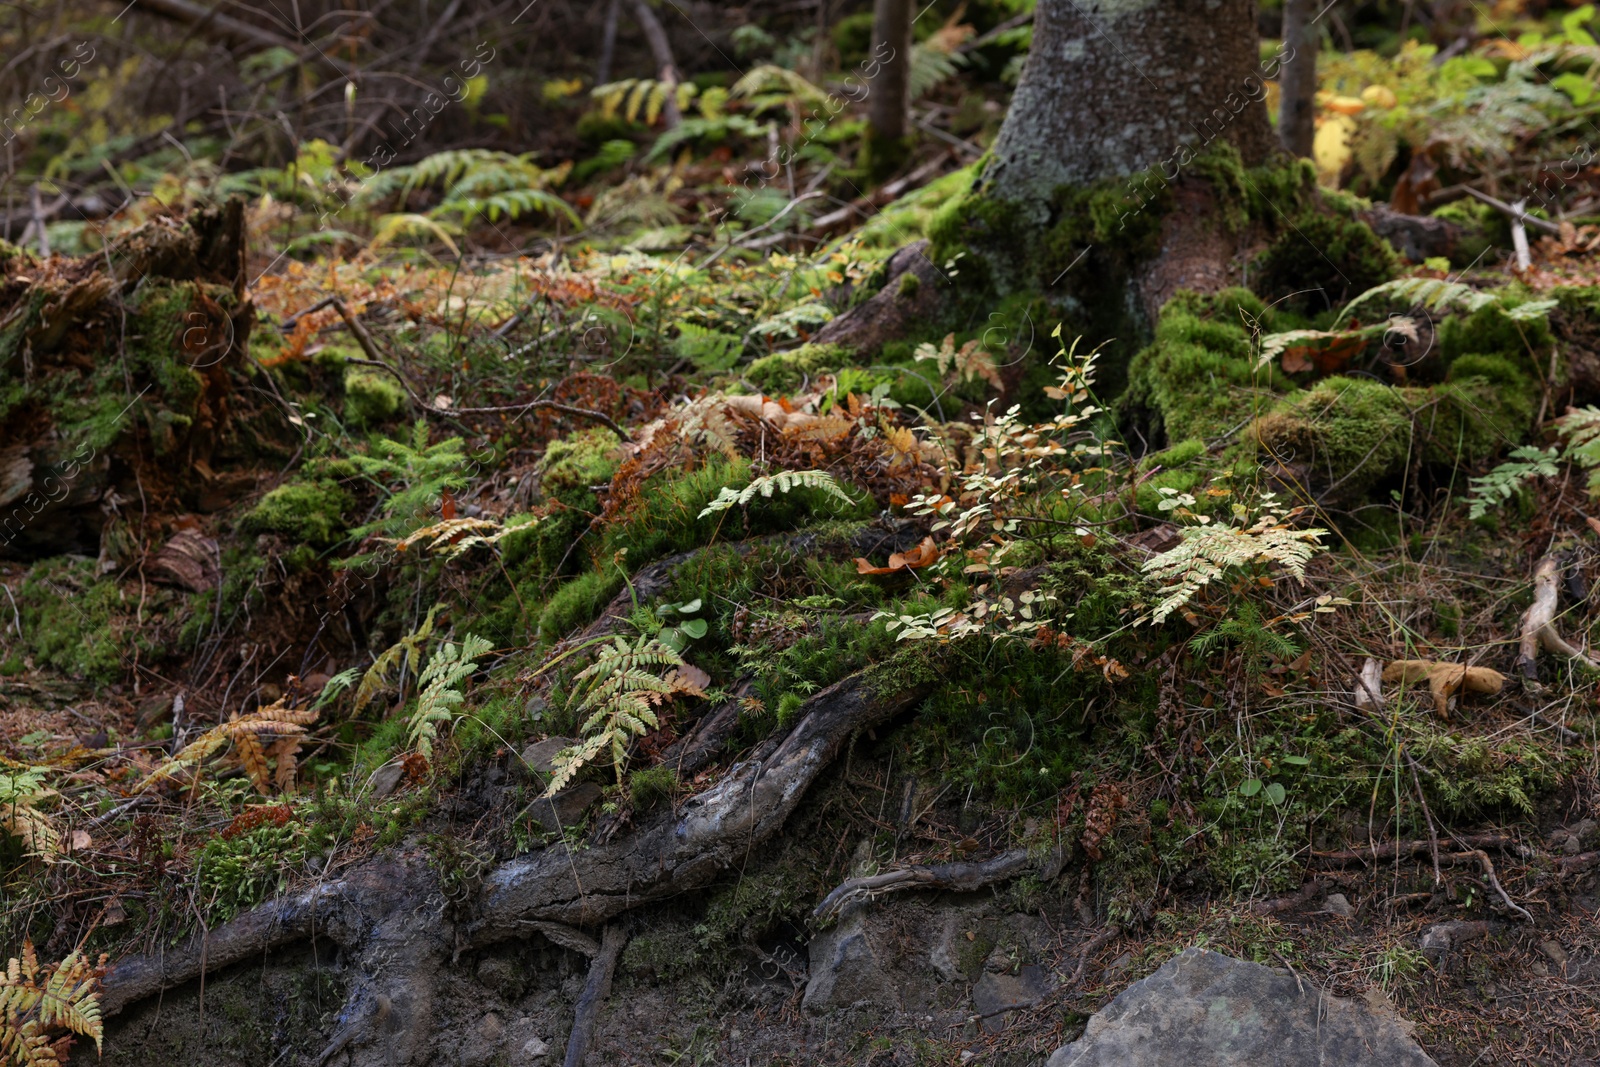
<point x="36" y="1002"/>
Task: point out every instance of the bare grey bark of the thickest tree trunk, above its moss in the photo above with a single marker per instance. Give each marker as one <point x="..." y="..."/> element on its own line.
<point x="1118" y="87"/>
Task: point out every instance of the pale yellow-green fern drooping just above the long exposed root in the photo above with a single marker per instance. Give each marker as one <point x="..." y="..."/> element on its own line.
<point x="625" y="687"/>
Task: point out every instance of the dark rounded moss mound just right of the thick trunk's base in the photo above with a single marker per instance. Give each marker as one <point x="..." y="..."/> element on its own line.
<point x="1322" y="262"/>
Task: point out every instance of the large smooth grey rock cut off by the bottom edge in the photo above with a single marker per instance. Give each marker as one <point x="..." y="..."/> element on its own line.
<point x="1207" y="1010"/>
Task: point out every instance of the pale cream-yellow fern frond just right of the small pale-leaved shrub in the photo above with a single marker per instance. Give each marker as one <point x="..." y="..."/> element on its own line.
<point x="1210" y="553"/>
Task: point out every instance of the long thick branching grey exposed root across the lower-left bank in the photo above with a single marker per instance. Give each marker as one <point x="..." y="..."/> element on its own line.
<point x="390" y="914"/>
